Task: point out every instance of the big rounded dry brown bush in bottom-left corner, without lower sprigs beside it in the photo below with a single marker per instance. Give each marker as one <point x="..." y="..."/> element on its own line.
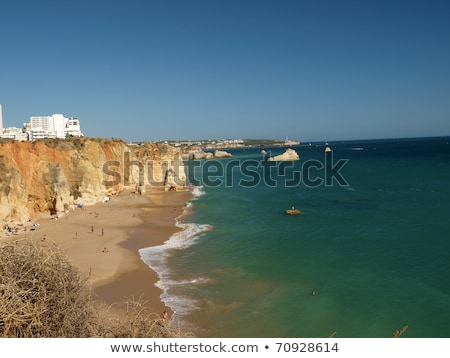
<point x="41" y="294"/>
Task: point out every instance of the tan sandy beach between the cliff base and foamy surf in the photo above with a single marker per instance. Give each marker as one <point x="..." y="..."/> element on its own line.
<point x="103" y="240"/>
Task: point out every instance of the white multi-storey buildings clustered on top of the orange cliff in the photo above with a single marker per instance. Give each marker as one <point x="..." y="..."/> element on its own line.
<point x="39" y="127"/>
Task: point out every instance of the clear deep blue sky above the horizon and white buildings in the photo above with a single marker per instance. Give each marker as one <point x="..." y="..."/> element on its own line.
<point x="312" y="70"/>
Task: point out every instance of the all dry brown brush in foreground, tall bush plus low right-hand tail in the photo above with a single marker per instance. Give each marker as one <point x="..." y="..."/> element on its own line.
<point x="43" y="295"/>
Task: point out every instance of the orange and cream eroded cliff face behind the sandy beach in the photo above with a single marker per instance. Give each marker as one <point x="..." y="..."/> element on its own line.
<point x="51" y="176"/>
